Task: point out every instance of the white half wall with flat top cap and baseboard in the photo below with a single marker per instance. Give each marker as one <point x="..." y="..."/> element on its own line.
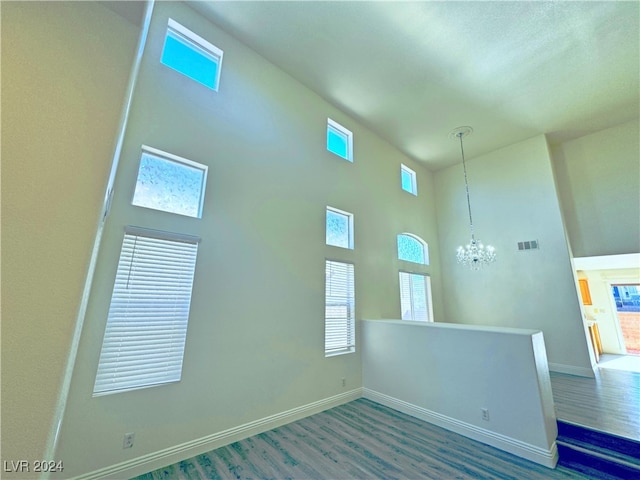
<point x="447" y="374"/>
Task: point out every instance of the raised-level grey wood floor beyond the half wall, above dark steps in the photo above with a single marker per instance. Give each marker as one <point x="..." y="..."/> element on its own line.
<point x="609" y="403"/>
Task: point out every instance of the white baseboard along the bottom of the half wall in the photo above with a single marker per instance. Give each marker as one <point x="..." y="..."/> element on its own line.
<point x="548" y="458"/>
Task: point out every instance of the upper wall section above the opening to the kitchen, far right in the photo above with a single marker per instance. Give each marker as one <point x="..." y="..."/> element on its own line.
<point x="599" y="187"/>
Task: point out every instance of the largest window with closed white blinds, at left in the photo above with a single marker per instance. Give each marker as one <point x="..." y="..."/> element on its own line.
<point x="146" y="328"/>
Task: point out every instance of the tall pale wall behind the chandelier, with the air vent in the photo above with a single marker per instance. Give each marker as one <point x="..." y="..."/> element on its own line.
<point x="513" y="198"/>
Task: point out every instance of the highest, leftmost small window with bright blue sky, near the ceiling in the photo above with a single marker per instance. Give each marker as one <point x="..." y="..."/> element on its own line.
<point x="192" y="55"/>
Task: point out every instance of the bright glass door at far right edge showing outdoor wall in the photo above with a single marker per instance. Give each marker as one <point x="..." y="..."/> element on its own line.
<point x="627" y="300"/>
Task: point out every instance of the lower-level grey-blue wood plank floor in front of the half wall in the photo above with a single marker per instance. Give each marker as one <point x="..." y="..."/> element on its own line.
<point x="360" y="440"/>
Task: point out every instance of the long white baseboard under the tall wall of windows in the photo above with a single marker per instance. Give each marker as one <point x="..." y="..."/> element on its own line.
<point x="168" y="456"/>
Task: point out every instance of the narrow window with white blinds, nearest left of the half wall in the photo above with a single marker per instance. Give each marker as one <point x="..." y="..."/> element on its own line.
<point x="339" y="333"/>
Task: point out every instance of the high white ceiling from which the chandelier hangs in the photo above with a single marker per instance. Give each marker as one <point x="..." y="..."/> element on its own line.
<point x="413" y="71"/>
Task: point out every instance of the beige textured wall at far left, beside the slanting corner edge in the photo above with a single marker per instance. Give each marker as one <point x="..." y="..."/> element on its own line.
<point x="65" y="67"/>
